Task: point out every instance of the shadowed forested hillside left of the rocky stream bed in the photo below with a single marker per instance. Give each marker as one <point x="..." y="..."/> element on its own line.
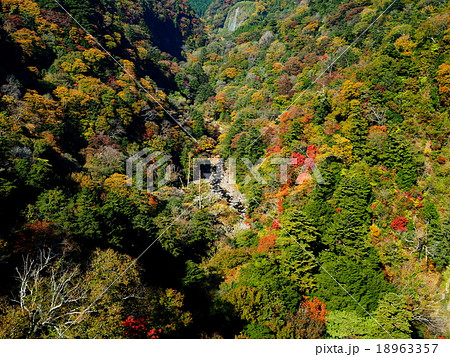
<point x="72" y="108"/>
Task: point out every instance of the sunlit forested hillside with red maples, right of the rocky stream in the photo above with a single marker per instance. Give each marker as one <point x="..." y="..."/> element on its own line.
<point x="366" y="99"/>
